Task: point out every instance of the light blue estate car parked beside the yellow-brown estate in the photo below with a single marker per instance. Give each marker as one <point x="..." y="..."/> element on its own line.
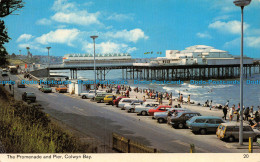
<point x="204" y="124"/>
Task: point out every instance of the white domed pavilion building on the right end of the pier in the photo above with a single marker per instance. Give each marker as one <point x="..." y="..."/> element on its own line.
<point x="199" y="55"/>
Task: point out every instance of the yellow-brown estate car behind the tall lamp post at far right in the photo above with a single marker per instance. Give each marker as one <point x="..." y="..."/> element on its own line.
<point x="230" y="131"/>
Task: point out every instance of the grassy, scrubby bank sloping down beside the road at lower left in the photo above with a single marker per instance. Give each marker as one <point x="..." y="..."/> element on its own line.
<point x="26" y="129"/>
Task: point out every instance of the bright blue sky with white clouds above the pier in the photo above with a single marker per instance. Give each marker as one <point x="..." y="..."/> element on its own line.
<point x="132" y="26"/>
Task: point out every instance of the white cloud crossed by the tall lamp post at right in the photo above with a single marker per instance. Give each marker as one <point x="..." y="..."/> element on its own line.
<point x="233" y="26"/>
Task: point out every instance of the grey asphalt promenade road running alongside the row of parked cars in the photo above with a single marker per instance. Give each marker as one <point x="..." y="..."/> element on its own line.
<point x="99" y="121"/>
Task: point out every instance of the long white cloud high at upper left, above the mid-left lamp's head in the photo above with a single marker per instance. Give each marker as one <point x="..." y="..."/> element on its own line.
<point x="79" y="18"/>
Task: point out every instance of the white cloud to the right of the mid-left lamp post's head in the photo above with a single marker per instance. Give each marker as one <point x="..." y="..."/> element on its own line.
<point x="130" y="36"/>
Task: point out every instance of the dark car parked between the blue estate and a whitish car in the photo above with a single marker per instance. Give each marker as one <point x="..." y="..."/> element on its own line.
<point x="179" y="121"/>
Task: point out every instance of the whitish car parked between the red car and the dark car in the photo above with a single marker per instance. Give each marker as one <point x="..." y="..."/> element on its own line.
<point x="161" y="117"/>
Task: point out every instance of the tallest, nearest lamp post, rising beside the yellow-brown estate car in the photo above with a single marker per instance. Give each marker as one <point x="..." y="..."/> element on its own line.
<point x="242" y="4"/>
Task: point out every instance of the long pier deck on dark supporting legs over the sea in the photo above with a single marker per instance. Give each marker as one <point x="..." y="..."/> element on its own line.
<point x="166" y="72"/>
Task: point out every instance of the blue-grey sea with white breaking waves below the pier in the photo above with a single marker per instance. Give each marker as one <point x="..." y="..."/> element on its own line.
<point x="219" y="93"/>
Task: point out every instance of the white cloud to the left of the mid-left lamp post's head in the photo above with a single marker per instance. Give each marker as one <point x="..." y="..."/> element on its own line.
<point x="63" y="36"/>
